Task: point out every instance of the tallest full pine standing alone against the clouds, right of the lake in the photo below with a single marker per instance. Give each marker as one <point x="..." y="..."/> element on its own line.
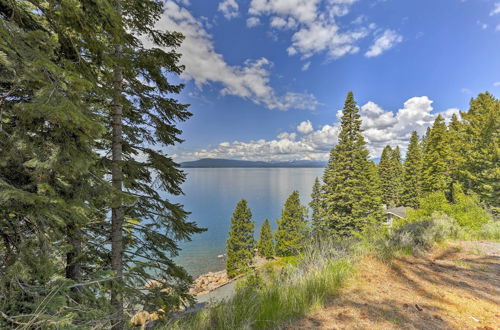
<point x="350" y="201"/>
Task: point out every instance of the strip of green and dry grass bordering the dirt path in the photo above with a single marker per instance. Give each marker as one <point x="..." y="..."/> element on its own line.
<point x="270" y="298"/>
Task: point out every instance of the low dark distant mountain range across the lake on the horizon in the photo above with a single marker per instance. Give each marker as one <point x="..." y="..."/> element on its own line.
<point x="213" y="162"/>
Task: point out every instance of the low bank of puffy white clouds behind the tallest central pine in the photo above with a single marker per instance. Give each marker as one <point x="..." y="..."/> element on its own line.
<point x="381" y="127"/>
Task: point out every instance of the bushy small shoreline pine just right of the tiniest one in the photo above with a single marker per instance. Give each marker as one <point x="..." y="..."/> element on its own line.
<point x="292" y="227"/>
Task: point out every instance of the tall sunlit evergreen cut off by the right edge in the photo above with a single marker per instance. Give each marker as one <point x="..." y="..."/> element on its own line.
<point x="481" y="129"/>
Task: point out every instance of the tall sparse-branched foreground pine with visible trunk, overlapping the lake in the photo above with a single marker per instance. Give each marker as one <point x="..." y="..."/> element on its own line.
<point x="146" y="225"/>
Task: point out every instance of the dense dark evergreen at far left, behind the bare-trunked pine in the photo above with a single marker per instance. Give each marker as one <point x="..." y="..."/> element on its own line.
<point x="48" y="134"/>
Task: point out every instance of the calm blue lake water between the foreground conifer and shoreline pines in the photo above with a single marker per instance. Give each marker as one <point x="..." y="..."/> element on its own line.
<point x="211" y="195"/>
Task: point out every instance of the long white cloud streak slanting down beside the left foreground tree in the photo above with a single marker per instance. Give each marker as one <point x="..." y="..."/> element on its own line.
<point x="204" y="65"/>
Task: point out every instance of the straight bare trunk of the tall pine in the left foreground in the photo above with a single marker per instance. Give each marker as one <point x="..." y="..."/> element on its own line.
<point x="117" y="180"/>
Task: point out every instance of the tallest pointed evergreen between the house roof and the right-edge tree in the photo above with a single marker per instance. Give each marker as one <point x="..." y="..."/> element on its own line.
<point x="436" y="159"/>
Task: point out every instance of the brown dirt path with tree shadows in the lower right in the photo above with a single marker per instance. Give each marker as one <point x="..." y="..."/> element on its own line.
<point x="454" y="287"/>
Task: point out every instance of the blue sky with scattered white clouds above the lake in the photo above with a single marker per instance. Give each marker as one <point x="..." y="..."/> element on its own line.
<point x="266" y="78"/>
